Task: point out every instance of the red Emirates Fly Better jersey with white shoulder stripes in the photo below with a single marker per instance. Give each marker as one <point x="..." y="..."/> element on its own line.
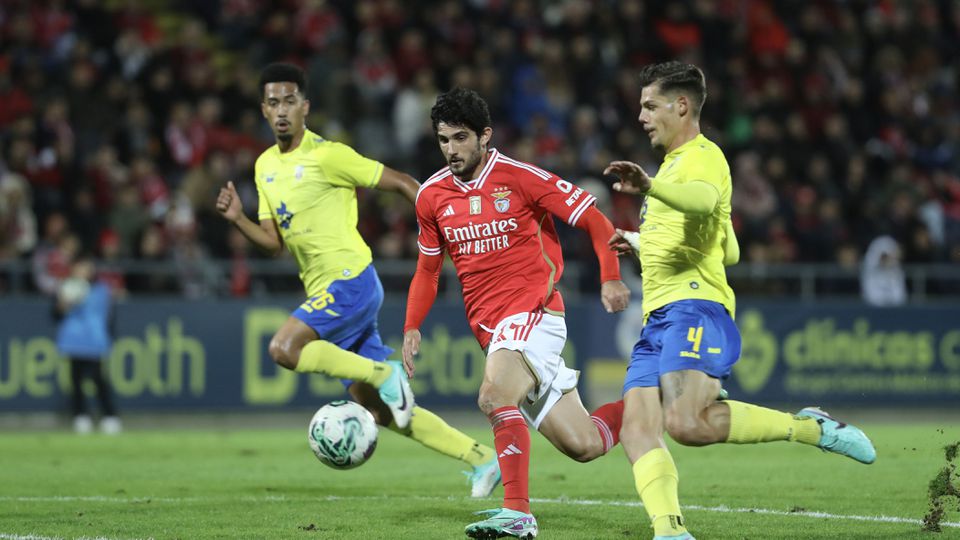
<point x="499" y="233"/>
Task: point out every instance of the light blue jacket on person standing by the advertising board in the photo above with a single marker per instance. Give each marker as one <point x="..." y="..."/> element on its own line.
<point x="84" y="332"/>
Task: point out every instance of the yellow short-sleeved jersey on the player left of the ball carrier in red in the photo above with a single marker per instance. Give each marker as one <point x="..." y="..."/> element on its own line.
<point x="310" y="192"/>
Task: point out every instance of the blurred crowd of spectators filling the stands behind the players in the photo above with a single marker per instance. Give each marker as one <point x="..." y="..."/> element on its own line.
<point x="119" y="120"/>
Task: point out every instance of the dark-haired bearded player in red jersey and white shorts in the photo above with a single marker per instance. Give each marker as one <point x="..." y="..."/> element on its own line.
<point x="494" y="216"/>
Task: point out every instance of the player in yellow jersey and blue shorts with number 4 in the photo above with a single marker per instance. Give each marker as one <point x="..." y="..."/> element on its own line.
<point x="689" y="342"/>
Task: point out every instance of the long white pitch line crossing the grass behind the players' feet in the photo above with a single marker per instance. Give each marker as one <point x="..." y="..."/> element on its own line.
<point x="577" y="502"/>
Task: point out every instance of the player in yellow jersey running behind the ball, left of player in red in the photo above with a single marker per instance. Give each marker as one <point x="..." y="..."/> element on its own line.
<point x="308" y="202"/>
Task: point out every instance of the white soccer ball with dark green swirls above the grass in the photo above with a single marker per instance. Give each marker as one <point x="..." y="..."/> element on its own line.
<point x="342" y="434"/>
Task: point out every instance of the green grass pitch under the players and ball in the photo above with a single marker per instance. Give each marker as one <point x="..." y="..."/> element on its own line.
<point x="194" y="484"/>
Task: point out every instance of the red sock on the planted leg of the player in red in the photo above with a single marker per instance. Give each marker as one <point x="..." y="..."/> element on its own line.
<point x="512" y="440"/>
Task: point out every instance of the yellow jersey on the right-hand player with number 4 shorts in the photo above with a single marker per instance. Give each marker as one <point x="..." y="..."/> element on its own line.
<point x="682" y="254"/>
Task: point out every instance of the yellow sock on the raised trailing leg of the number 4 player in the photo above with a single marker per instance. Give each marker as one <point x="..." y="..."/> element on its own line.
<point x="753" y="424"/>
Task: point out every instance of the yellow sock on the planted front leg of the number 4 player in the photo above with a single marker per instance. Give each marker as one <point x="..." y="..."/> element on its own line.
<point x="656" y="479"/>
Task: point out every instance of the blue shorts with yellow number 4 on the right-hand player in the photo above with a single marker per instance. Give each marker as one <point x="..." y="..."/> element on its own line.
<point x="689" y="334"/>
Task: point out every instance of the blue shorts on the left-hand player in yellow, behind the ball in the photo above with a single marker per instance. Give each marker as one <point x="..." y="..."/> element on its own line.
<point x="346" y="315"/>
